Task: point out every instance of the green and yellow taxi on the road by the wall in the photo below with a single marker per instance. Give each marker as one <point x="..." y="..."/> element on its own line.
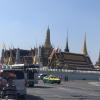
<point x="51" y="79"/>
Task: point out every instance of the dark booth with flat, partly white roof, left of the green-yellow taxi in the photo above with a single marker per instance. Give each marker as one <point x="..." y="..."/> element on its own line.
<point x="31" y="73"/>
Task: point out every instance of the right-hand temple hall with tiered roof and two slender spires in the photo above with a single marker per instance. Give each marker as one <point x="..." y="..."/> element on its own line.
<point x="69" y="60"/>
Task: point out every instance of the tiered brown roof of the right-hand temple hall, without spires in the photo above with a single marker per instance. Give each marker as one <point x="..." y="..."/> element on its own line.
<point x="72" y="60"/>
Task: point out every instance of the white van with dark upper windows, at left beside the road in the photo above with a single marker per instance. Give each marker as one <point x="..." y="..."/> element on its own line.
<point x="19" y="80"/>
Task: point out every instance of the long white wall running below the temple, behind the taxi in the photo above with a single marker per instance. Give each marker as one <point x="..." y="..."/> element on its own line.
<point x="74" y="75"/>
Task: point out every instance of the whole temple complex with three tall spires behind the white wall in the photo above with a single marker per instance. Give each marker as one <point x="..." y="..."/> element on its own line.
<point x="46" y="55"/>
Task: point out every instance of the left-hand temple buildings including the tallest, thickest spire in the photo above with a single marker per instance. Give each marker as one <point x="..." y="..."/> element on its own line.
<point x="37" y="55"/>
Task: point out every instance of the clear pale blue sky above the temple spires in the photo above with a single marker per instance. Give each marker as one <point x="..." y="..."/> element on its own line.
<point x="23" y="24"/>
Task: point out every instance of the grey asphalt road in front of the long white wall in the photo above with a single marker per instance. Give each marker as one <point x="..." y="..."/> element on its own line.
<point x="71" y="90"/>
